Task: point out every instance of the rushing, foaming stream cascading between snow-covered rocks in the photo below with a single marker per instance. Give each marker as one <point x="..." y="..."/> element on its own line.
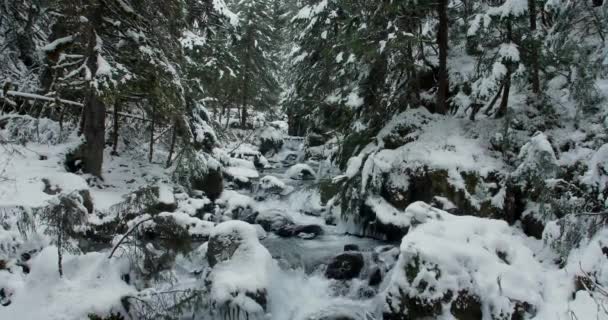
<point x="299" y="287"/>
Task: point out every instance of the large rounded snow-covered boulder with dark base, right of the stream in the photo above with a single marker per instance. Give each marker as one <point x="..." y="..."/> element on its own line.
<point x="470" y="267"/>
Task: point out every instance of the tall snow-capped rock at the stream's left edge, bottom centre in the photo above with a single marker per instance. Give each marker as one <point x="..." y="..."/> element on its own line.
<point x="240" y="275"/>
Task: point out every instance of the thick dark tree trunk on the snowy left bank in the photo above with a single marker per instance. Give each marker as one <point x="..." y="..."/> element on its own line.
<point x="94" y="113"/>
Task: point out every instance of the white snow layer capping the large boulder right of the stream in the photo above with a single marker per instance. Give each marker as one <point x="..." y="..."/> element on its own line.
<point x="462" y="253"/>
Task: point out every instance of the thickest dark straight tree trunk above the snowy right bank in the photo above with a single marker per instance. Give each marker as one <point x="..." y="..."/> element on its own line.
<point x="442" y="42"/>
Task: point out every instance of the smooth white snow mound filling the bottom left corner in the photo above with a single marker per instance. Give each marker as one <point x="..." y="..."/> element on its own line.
<point x="91" y="284"/>
